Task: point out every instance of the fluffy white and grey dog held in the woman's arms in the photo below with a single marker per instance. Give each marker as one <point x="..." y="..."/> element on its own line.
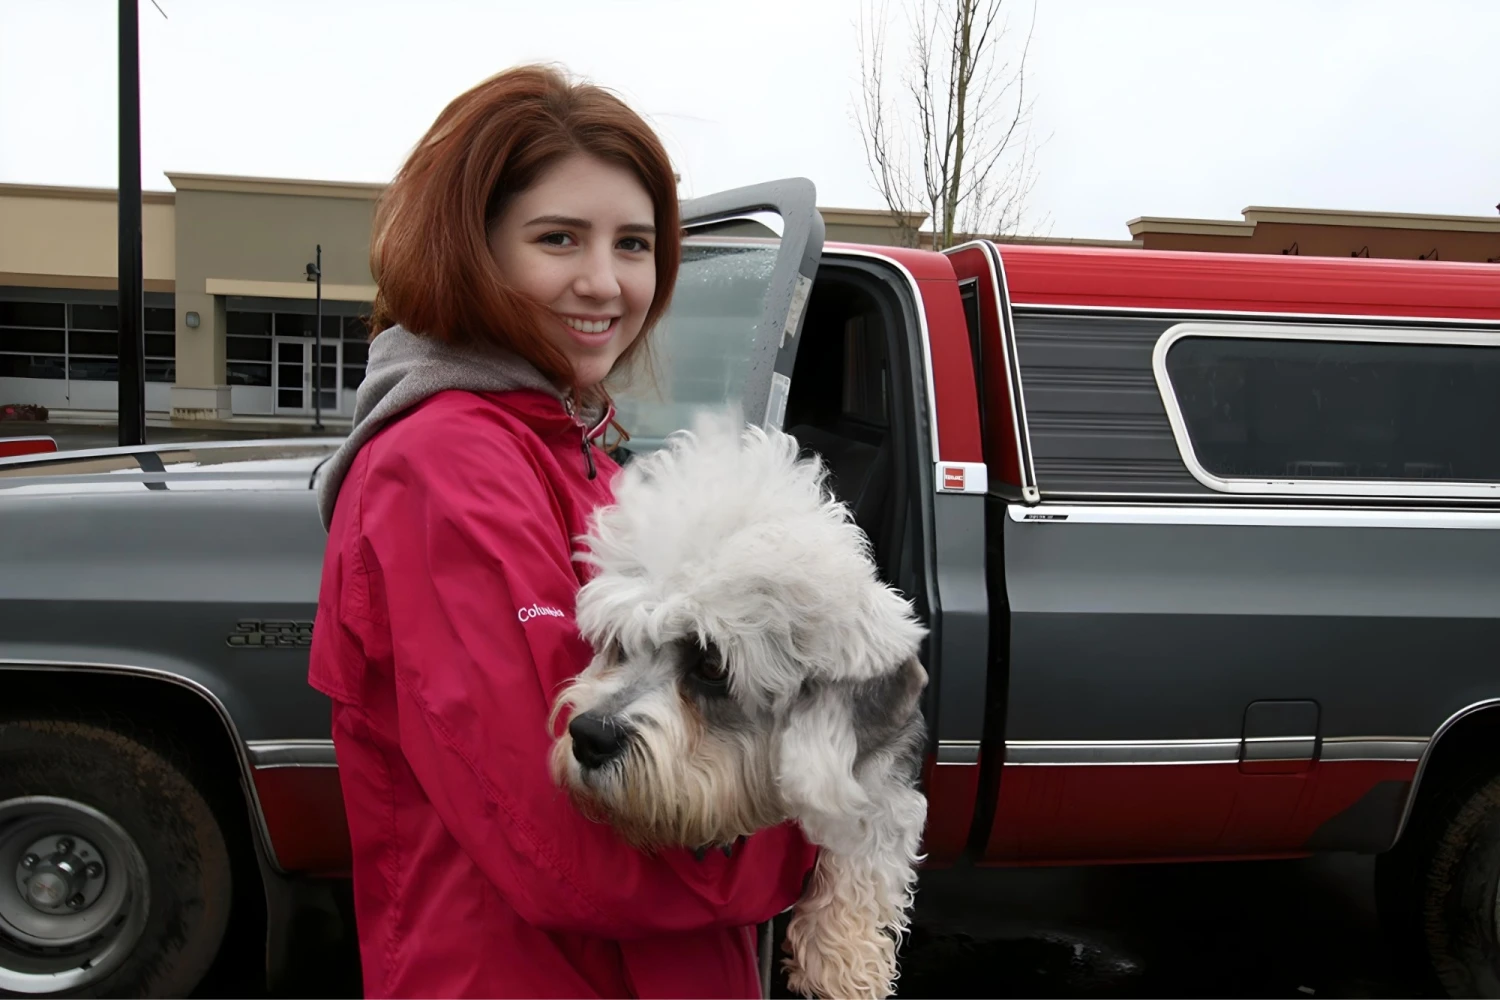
<point x="751" y="669"/>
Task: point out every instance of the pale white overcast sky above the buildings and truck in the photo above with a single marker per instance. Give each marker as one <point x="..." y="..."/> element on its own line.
<point x="1150" y="107"/>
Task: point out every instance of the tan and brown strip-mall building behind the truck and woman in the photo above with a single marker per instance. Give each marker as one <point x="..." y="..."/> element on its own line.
<point x="230" y="310"/>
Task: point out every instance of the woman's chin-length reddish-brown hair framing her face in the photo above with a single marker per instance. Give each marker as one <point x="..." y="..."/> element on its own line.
<point x="430" y="254"/>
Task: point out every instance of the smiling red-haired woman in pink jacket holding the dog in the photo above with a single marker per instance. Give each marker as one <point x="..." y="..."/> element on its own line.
<point x="523" y="254"/>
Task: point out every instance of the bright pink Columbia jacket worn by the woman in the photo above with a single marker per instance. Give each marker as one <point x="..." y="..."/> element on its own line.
<point x="445" y="629"/>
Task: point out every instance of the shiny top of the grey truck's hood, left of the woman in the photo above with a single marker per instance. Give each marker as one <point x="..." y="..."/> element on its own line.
<point x="190" y="466"/>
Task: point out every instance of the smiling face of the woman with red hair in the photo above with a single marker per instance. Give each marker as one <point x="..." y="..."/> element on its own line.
<point x="583" y="242"/>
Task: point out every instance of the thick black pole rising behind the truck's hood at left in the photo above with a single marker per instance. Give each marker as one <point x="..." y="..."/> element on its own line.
<point x="131" y="281"/>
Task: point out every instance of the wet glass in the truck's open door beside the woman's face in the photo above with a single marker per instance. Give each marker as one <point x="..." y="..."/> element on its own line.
<point x="701" y="350"/>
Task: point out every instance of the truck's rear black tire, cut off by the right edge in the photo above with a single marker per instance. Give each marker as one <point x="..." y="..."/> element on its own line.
<point x="1438" y="891"/>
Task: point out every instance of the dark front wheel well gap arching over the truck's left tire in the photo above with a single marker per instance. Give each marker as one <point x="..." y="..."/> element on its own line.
<point x="175" y="719"/>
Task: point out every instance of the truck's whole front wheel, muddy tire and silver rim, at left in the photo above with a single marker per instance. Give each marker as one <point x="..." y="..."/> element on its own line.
<point x="115" y="875"/>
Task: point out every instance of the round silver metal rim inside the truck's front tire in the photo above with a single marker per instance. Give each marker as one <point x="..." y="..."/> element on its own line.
<point x="77" y="900"/>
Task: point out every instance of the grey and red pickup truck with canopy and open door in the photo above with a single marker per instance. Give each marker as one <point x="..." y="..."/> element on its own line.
<point x="1210" y="546"/>
